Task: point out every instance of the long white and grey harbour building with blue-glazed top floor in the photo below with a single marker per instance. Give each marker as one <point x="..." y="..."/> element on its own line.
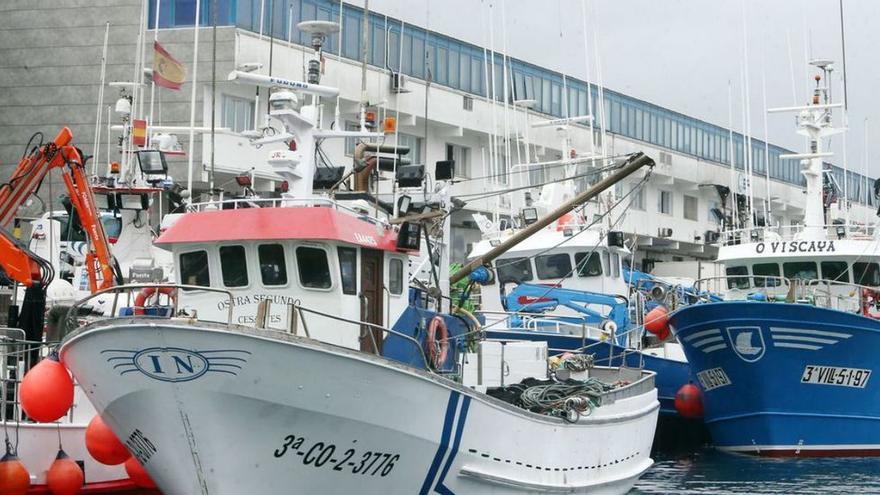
<point x="49" y="81"/>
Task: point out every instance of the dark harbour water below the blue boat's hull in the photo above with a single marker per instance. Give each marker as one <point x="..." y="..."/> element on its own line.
<point x="711" y="471"/>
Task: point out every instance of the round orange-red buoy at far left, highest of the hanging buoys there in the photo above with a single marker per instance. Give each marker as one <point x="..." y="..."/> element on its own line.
<point x="47" y="391"/>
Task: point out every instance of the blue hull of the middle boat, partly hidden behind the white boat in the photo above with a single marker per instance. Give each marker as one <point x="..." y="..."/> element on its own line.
<point x="671" y="375"/>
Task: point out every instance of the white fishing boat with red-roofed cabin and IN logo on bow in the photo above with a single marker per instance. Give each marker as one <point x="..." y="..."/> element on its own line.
<point x="274" y="368"/>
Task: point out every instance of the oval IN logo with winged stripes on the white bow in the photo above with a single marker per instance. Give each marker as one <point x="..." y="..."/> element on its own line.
<point x="173" y="364"/>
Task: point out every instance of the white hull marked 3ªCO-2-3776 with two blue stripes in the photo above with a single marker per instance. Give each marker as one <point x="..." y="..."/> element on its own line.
<point x="246" y="411"/>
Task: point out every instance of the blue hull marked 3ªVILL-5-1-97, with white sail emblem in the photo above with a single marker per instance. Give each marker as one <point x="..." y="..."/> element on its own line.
<point x="785" y="379"/>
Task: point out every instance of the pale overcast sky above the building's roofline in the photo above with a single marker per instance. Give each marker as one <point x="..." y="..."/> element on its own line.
<point x="681" y="53"/>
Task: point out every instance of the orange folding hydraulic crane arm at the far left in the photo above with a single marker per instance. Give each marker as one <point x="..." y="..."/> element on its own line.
<point x="19" y="263"/>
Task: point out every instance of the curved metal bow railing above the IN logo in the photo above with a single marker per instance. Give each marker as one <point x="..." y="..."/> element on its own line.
<point x="124" y="302"/>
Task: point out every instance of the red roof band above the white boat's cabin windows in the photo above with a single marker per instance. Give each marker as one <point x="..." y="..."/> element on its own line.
<point x="265" y="224"/>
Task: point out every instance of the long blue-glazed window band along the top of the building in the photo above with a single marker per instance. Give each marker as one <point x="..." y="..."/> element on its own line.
<point x="456" y="64"/>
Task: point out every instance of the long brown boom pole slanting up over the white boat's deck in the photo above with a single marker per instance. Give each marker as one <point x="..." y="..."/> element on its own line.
<point x="633" y="163"/>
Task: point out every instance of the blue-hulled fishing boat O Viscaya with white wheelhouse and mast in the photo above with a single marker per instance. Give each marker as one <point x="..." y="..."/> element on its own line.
<point x="785" y="361"/>
